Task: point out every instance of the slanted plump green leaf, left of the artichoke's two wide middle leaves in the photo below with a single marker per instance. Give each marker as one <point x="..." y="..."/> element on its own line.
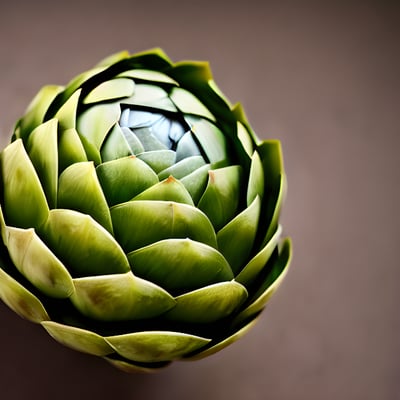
<point x="82" y="244"/>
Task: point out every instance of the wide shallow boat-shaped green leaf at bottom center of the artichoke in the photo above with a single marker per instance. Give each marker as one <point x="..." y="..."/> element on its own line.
<point x="155" y="346"/>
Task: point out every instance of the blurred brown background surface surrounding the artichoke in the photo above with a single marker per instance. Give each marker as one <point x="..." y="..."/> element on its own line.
<point x="323" y="77"/>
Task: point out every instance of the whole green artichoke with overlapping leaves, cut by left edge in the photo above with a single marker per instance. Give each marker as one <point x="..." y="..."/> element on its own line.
<point x="139" y="214"/>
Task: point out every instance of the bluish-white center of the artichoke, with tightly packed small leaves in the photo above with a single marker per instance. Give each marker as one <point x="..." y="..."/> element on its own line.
<point x="155" y="130"/>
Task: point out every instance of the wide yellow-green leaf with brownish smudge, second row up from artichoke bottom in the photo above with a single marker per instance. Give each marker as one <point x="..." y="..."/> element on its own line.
<point x="120" y="297"/>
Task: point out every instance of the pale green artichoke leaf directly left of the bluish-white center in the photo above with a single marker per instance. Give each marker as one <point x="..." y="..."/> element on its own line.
<point x="97" y="121"/>
